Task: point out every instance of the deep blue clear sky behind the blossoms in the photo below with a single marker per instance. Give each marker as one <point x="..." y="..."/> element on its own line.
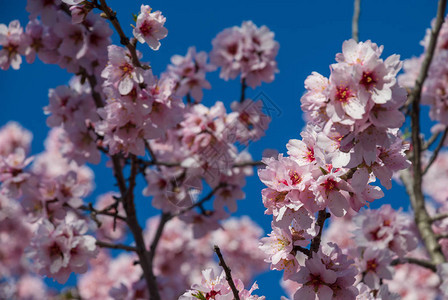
<point x="310" y="33"/>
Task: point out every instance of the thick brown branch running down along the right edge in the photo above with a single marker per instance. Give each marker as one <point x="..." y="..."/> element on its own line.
<point x="414" y="185"/>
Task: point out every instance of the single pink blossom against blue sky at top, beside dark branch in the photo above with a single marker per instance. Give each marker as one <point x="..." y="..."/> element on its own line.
<point x="149" y="27"/>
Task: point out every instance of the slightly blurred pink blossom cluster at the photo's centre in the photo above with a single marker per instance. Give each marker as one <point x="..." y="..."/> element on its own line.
<point x="203" y="146"/>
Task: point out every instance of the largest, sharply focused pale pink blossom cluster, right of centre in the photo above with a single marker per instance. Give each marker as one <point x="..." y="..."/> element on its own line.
<point x="351" y="139"/>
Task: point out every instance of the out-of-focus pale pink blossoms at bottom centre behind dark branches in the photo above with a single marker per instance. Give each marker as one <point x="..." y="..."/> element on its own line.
<point x="178" y="261"/>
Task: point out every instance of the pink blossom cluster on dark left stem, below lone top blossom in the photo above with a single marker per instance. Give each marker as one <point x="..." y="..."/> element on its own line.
<point x="138" y="106"/>
